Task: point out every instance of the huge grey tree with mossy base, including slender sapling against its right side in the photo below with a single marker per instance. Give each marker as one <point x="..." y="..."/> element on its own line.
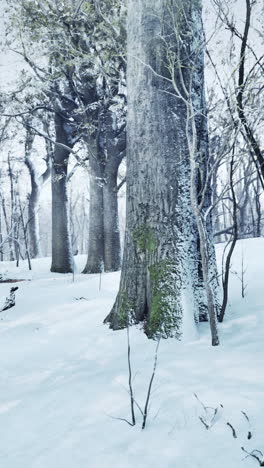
<point x="161" y="276"/>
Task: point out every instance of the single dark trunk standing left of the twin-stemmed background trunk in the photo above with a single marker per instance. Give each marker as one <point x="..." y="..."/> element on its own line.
<point x="62" y="260"/>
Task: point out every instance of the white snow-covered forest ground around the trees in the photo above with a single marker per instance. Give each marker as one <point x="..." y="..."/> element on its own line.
<point x="64" y="378"/>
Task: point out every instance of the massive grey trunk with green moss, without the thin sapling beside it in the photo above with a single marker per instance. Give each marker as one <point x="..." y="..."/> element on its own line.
<point x="159" y="270"/>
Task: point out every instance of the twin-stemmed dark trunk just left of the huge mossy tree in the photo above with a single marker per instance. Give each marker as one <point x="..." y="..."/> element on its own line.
<point x="104" y="251"/>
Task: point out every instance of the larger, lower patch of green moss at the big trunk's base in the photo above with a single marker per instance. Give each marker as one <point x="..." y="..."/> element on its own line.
<point x="165" y="314"/>
